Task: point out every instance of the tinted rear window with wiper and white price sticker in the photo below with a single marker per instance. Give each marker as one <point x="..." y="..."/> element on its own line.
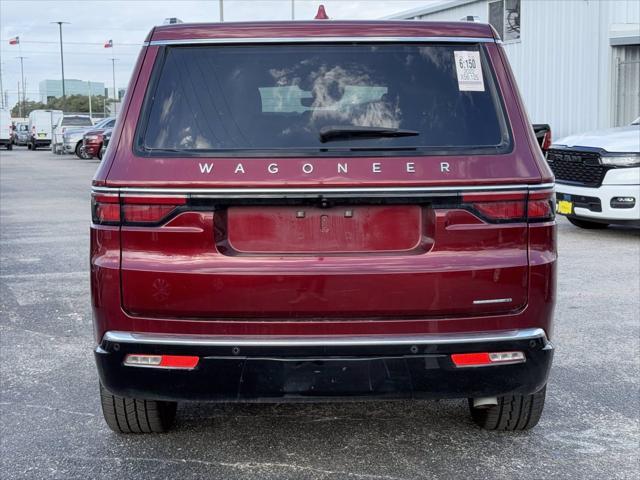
<point x="281" y="98"/>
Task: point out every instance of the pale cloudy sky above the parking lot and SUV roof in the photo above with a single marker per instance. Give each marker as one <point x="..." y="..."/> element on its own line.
<point x="92" y="23"/>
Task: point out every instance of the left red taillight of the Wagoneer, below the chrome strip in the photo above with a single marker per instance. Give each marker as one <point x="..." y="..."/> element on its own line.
<point x="110" y="209"/>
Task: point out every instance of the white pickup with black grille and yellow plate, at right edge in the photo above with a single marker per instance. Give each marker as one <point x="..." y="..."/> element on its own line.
<point x="598" y="176"/>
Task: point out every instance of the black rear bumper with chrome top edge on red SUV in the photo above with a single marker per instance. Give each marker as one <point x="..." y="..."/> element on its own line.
<point x="301" y="368"/>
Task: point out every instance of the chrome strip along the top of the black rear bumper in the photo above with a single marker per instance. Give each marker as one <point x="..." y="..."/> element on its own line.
<point x="317" y="341"/>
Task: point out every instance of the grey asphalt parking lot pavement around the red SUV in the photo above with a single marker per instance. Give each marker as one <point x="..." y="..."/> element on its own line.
<point x="52" y="427"/>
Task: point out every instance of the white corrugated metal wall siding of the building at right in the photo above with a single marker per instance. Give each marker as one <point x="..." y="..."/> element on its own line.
<point x="563" y="60"/>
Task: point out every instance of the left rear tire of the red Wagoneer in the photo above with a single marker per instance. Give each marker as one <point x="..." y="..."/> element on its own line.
<point x="133" y="415"/>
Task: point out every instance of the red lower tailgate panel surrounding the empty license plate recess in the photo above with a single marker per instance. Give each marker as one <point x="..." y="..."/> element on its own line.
<point x="200" y="280"/>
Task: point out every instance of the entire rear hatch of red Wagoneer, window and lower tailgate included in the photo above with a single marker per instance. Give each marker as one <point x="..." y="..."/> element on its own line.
<point x="274" y="220"/>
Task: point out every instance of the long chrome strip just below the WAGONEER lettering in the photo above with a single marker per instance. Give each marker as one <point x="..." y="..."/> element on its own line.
<point x="313" y="192"/>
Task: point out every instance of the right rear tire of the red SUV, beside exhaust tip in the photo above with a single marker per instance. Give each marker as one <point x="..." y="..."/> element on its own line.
<point x="513" y="412"/>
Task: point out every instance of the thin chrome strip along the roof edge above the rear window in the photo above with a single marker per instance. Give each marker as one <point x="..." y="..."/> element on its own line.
<point x="316" y="39"/>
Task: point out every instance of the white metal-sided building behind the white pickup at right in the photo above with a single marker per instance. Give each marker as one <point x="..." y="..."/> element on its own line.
<point x="577" y="63"/>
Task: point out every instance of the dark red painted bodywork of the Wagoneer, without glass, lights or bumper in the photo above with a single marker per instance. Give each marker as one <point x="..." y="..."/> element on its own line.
<point x="230" y="272"/>
